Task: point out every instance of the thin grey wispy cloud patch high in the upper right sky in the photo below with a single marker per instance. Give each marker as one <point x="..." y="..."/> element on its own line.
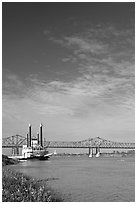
<point x="102" y="45"/>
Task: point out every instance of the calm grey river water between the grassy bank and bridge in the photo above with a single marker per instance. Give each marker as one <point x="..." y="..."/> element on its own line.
<point x="83" y="179"/>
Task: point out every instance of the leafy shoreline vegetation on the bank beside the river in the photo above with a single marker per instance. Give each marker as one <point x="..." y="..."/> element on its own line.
<point x="17" y="187"/>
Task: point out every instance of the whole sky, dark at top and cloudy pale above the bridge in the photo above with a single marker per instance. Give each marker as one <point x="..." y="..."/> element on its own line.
<point x="69" y="66"/>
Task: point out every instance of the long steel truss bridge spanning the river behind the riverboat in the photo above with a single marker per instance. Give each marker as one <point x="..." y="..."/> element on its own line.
<point x="17" y="141"/>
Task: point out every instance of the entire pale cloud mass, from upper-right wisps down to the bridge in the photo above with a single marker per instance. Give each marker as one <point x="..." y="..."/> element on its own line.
<point x="103" y="93"/>
